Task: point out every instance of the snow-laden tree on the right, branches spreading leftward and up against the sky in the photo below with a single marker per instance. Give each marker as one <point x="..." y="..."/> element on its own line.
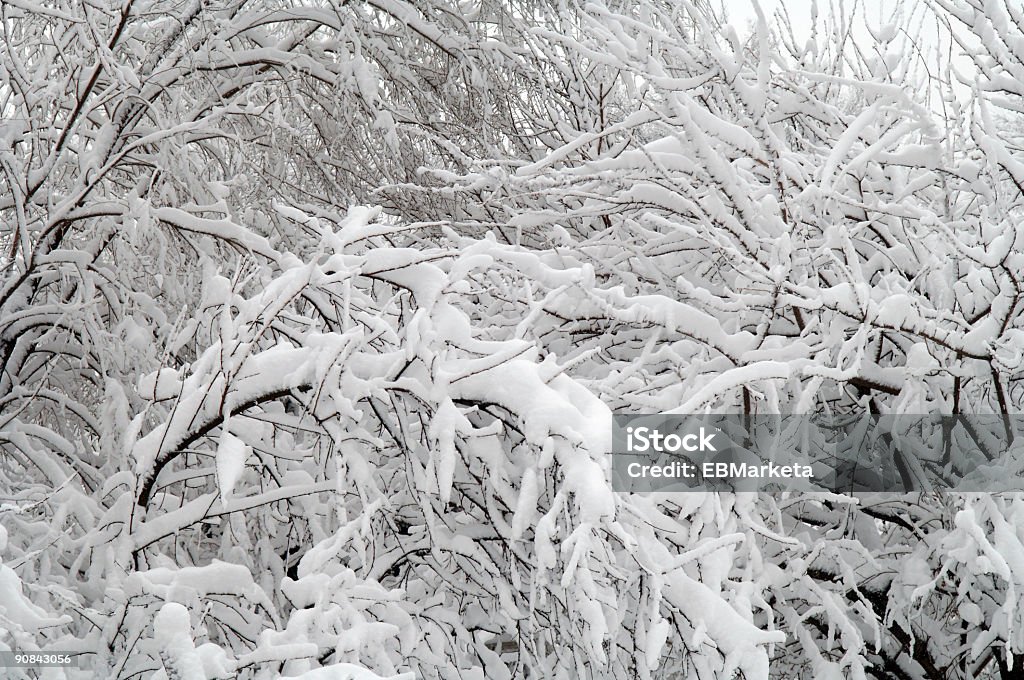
<point x="803" y="234"/>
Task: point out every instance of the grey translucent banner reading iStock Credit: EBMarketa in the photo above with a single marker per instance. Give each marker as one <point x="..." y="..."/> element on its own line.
<point x="851" y="453"/>
